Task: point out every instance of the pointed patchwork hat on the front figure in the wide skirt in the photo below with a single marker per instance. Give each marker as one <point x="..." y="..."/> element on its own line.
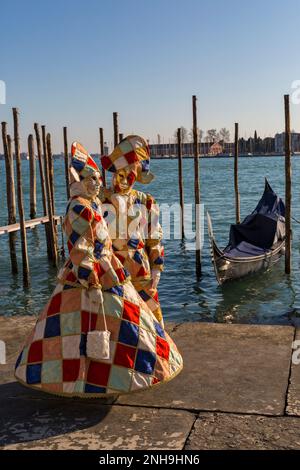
<point x="82" y="164"/>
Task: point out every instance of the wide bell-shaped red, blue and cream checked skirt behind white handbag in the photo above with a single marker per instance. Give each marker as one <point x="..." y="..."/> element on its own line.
<point x="54" y="357"/>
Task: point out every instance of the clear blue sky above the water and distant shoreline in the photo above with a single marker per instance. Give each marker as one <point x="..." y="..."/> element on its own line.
<point x="73" y="63"/>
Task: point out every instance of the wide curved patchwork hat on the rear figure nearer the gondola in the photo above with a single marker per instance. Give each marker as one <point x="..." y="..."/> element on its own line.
<point x="133" y="151"/>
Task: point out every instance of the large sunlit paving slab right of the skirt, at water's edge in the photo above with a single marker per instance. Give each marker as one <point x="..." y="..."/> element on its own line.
<point x="232" y="368"/>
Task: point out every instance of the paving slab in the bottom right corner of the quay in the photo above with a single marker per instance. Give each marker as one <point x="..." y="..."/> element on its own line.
<point x="222" y="431"/>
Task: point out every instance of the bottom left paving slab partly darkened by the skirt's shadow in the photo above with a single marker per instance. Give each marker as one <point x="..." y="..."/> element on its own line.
<point x="32" y="420"/>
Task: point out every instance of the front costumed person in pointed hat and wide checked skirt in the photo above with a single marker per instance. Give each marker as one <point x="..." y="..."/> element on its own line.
<point x="96" y="336"/>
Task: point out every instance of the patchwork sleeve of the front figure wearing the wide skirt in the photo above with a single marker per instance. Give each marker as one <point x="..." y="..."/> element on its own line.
<point x="83" y="248"/>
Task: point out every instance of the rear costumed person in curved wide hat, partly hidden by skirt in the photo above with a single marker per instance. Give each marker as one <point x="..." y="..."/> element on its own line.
<point x="139" y="247"/>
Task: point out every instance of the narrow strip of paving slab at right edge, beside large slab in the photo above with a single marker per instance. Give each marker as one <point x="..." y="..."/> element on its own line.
<point x="293" y="399"/>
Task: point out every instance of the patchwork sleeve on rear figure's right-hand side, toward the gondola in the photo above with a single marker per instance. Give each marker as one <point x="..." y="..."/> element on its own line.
<point x="154" y="248"/>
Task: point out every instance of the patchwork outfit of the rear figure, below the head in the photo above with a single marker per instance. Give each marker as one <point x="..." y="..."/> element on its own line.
<point x="139" y="249"/>
